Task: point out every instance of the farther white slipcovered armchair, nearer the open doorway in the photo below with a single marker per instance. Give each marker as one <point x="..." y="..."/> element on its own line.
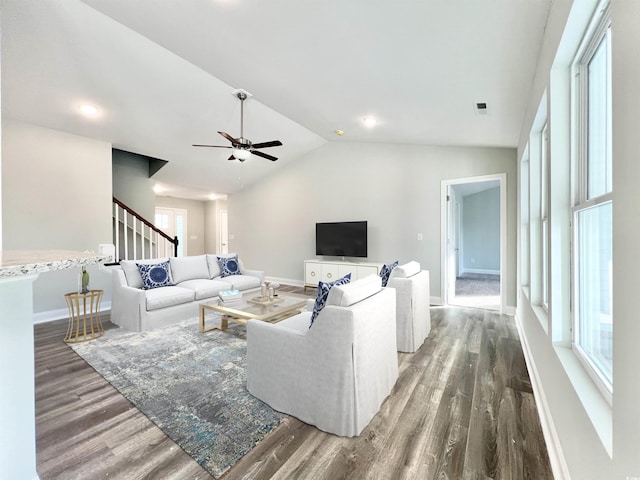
<point x="412" y="305"/>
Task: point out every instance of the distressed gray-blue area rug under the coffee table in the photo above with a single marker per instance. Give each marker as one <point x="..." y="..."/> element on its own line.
<point x="192" y="385"/>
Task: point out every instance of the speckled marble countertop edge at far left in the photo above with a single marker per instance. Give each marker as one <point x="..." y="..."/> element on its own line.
<point x="14" y="263"/>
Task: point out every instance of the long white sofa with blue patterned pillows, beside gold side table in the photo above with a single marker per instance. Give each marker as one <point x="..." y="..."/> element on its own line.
<point x="195" y="278"/>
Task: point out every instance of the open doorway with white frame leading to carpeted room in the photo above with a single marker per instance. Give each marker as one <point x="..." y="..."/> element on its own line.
<point x="474" y="241"/>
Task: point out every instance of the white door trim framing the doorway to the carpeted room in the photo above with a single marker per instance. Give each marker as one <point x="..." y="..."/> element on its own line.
<point x="444" y="224"/>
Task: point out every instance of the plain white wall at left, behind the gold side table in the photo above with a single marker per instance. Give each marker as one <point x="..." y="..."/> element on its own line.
<point x="56" y="194"/>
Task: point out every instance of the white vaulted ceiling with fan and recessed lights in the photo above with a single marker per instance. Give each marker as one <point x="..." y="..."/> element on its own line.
<point x="162" y="74"/>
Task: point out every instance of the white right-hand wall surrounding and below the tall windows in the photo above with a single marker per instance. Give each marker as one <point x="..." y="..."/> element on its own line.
<point x="597" y="441"/>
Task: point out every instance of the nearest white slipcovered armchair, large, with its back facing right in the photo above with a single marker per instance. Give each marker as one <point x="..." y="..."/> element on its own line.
<point x="336" y="374"/>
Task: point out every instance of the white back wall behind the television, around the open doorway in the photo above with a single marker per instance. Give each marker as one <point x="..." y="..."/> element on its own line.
<point x="396" y="188"/>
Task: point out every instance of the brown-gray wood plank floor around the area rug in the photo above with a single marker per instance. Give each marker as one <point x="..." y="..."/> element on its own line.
<point x="462" y="409"/>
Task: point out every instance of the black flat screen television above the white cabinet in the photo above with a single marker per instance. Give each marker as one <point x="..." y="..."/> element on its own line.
<point x="341" y="239"/>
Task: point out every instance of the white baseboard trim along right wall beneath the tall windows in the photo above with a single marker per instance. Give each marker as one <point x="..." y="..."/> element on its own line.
<point x="554" y="447"/>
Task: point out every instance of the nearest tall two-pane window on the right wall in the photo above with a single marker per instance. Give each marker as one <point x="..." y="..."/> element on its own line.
<point x="592" y="212"/>
